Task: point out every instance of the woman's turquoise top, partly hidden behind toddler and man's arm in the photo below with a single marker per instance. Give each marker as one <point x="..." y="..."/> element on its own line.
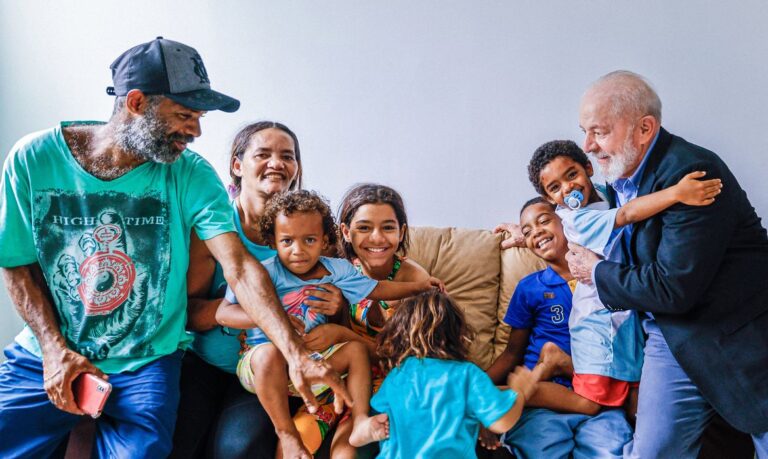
<point x="220" y="346"/>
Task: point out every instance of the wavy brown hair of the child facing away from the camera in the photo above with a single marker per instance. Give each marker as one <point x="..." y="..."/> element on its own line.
<point x="426" y="325"/>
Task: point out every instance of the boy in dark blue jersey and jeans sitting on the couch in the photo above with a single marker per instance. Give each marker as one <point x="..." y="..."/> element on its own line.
<point x="555" y="421"/>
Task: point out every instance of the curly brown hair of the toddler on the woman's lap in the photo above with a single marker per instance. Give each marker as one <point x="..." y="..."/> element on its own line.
<point x="296" y="201"/>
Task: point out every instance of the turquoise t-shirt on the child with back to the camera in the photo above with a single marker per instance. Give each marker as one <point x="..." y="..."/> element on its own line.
<point x="436" y="406"/>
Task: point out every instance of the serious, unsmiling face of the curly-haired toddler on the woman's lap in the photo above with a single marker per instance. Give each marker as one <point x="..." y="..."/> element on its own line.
<point x="299" y="241"/>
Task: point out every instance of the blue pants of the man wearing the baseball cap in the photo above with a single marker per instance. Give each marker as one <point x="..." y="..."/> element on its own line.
<point x="138" y="417"/>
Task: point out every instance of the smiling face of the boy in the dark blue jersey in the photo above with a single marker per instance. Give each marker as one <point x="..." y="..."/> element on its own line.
<point x="543" y="232"/>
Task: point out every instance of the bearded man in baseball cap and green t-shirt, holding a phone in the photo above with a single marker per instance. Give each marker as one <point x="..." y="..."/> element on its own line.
<point x="95" y="221"/>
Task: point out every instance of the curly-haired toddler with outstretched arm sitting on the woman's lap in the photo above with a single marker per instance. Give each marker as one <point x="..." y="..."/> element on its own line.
<point x="299" y="225"/>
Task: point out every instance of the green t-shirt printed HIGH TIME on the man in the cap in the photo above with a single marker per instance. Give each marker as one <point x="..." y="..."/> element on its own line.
<point x="114" y="253"/>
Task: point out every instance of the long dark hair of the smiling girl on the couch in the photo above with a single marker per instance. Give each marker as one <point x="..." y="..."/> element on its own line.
<point x="372" y="193"/>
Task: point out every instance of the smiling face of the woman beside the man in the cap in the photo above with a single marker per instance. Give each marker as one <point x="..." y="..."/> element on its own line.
<point x="269" y="164"/>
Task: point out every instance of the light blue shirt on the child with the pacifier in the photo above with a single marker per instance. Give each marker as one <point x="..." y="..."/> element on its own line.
<point x="602" y="342"/>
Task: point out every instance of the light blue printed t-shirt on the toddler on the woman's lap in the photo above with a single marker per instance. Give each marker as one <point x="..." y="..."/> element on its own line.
<point x="292" y="291"/>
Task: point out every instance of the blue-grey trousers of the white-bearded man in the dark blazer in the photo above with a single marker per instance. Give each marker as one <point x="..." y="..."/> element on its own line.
<point x="671" y="414"/>
